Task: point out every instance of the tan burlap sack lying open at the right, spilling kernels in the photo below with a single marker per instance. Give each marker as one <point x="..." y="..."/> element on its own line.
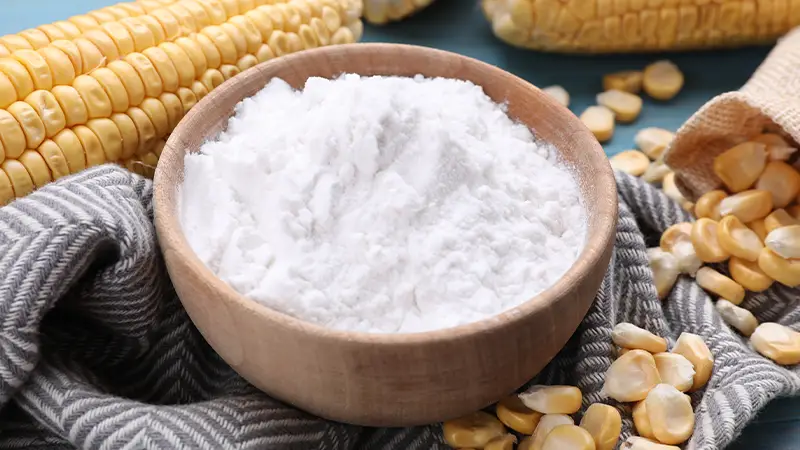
<point x="771" y="99"/>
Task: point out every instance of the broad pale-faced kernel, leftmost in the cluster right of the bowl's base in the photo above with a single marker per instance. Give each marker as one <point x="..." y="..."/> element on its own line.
<point x="631" y="376"/>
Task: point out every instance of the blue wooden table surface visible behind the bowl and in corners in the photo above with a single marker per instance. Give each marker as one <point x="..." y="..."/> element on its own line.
<point x="458" y="26"/>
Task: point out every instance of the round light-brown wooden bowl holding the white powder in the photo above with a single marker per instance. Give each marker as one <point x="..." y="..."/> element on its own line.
<point x="388" y="379"/>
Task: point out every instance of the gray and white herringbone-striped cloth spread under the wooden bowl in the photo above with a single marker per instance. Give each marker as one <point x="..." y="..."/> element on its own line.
<point x="97" y="353"/>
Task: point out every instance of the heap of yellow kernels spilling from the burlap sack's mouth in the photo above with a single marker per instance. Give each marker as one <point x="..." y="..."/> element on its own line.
<point x="746" y="235"/>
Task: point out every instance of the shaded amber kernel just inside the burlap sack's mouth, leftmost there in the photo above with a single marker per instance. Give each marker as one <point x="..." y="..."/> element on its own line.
<point x="739" y="167"/>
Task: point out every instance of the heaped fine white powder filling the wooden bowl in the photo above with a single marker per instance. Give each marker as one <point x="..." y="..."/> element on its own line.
<point x="381" y="204"/>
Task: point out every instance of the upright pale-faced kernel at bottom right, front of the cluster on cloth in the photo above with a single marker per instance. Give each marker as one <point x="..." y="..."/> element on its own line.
<point x="670" y="413"/>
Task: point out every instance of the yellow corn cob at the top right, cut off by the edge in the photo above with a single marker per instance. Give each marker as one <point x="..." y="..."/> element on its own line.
<point x="604" y="26"/>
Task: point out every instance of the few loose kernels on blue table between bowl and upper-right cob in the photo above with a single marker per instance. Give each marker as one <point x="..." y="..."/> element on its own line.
<point x="620" y="102"/>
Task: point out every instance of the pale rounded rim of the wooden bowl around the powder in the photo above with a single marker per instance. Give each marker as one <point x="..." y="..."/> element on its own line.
<point x="604" y="218"/>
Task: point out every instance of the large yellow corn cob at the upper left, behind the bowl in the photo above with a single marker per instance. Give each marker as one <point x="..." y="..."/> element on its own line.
<point x="124" y="106"/>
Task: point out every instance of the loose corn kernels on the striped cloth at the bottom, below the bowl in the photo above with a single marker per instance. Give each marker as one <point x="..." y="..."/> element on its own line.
<point x="644" y="374"/>
